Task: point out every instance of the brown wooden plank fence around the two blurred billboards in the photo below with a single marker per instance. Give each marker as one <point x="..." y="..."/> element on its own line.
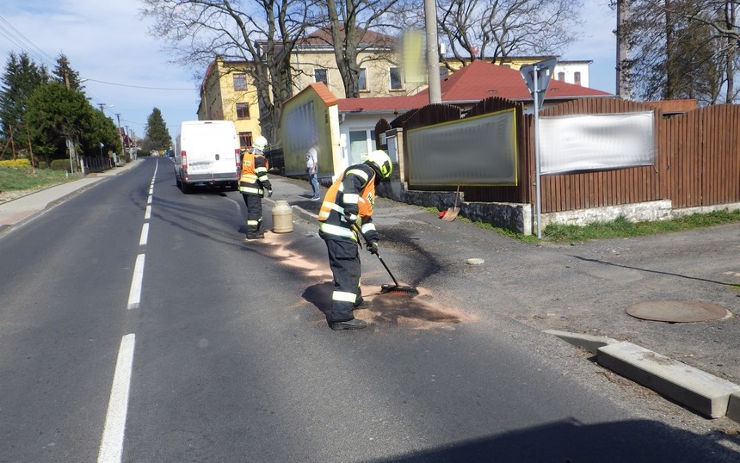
<point x="697" y="160"/>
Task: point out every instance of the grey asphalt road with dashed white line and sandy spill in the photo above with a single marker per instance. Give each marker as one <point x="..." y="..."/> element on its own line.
<point x="230" y="359"/>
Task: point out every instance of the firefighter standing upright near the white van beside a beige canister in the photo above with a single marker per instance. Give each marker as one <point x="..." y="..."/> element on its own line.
<point x="254" y="184"/>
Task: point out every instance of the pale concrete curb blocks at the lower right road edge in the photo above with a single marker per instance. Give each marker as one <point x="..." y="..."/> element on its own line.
<point x="695" y="389"/>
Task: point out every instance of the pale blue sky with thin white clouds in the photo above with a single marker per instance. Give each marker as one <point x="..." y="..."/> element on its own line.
<point x="129" y="72"/>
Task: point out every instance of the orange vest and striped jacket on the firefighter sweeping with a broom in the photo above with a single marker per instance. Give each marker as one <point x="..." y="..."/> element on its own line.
<point x="353" y="195"/>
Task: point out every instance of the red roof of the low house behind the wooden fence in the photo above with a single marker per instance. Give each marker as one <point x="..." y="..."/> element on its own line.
<point x="475" y="82"/>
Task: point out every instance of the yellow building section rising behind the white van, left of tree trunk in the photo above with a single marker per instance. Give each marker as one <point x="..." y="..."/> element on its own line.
<point x="227" y="93"/>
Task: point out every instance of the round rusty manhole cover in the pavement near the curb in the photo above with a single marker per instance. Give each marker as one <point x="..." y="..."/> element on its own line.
<point x="677" y="311"/>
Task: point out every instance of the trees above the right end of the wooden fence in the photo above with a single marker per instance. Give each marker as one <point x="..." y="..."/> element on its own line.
<point x="684" y="49"/>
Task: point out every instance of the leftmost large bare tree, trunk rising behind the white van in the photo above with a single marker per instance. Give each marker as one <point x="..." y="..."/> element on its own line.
<point x="262" y="33"/>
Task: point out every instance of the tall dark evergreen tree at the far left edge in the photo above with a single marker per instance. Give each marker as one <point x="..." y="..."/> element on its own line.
<point x="22" y="76"/>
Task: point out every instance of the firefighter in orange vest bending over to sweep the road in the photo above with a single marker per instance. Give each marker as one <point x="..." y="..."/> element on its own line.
<point x="346" y="210"/>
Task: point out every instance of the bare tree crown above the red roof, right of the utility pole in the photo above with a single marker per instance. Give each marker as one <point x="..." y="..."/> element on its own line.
<point x="496" y="29"/>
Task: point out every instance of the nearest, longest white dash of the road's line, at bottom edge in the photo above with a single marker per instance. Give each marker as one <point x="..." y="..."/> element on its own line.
<point x="111" y="445"/>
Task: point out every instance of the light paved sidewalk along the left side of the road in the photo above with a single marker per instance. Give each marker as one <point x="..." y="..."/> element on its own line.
<point x="18" y="210"/>
